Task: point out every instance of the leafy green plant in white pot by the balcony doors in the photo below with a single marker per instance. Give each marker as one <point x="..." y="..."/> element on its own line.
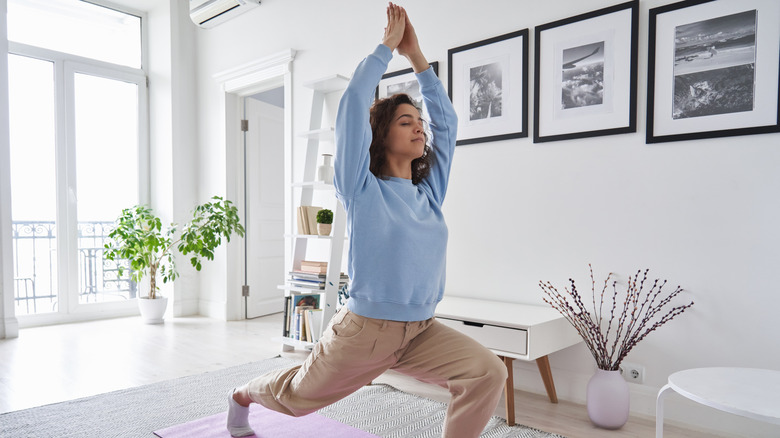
<point x="148" y="248"/>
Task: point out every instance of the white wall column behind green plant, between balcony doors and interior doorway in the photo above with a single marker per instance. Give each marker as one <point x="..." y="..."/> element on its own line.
<point x="173" y="164"/>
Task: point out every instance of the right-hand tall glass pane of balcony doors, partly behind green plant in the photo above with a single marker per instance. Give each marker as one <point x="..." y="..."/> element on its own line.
<point x="106" y="177"/>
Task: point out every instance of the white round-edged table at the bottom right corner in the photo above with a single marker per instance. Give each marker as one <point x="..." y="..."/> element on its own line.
<point x="748" y="392"/>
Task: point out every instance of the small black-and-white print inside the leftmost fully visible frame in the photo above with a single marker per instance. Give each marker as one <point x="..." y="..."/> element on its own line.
<point x="485" y="91"/>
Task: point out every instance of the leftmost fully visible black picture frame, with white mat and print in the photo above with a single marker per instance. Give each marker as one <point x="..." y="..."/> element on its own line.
<point x="488" y="86"/>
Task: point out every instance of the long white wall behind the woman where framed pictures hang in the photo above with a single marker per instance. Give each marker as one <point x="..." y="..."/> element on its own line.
<point x="701" y="214"/>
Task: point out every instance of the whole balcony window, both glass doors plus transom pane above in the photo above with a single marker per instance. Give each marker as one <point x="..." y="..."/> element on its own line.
<point x="79" y="153"/>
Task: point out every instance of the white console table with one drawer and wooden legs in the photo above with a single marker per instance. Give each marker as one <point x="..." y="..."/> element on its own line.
<point x="512" y="331"/>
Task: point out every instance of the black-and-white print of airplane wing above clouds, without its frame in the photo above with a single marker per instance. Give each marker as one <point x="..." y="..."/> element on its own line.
<point x="582" y="76"/>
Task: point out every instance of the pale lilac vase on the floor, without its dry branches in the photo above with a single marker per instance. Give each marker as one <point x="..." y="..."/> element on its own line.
<point x="608" y="399"/>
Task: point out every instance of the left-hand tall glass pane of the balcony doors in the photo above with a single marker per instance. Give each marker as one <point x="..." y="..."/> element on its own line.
<point x="33" y="189"/>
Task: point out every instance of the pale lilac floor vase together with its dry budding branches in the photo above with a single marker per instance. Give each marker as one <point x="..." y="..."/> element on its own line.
<point x="610" y="331"/>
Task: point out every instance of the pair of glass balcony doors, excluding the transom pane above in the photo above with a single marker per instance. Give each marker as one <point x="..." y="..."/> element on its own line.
<point x="78" y="157"/>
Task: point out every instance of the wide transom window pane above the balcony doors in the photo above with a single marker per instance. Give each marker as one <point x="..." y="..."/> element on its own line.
<point x="77" y="27"/>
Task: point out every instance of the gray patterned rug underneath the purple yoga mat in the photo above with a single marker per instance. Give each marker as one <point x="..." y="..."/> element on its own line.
<point x="137" y="412"/>
